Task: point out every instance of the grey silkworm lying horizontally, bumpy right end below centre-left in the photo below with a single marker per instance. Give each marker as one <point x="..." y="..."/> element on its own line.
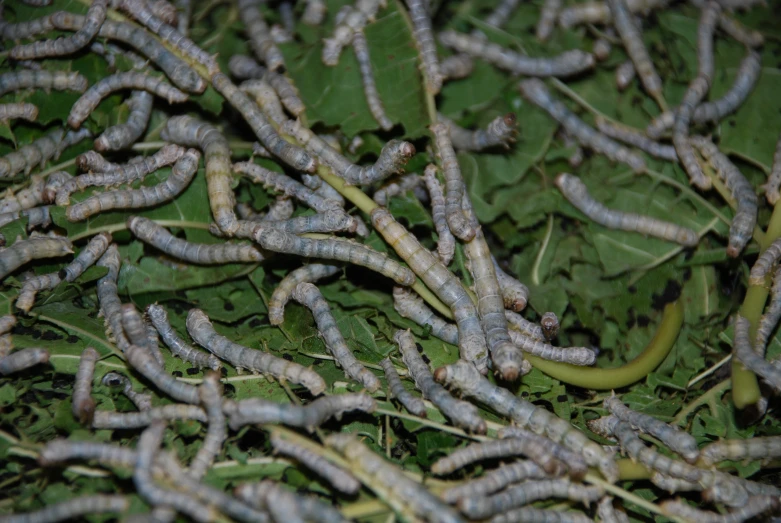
<point x="261" y="411"/>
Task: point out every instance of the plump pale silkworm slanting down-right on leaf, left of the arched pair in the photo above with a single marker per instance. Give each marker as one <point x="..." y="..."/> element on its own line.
<point x="202" y="331"/>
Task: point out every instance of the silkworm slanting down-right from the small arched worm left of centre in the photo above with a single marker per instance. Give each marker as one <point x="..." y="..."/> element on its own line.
<point x="308" y="295"/>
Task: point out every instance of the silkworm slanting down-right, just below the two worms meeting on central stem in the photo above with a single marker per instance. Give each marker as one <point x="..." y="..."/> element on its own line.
<point x="462" y="414"/>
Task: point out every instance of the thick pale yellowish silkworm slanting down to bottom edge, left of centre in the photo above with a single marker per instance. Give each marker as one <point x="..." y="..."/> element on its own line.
<point x="403" y="494"/>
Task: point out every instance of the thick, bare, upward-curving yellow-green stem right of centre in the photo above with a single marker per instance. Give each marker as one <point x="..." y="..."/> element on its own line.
<point x="605" y="379"/>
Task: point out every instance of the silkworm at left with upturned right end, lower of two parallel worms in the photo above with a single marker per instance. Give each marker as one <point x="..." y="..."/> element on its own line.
<point x="181" y="175"/>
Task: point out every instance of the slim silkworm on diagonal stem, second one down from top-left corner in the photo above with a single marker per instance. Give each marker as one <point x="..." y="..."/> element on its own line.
<point x="290" y="154"/>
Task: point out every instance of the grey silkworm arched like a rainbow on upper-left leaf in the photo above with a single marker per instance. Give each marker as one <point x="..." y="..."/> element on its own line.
<point x="136" y="80"/>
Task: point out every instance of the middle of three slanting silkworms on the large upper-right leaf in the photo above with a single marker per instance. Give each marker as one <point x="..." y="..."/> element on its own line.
<point x="535" y="91"/>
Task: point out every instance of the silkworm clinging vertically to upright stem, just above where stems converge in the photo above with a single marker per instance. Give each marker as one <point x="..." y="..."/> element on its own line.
<point x="455" y="187"/>
